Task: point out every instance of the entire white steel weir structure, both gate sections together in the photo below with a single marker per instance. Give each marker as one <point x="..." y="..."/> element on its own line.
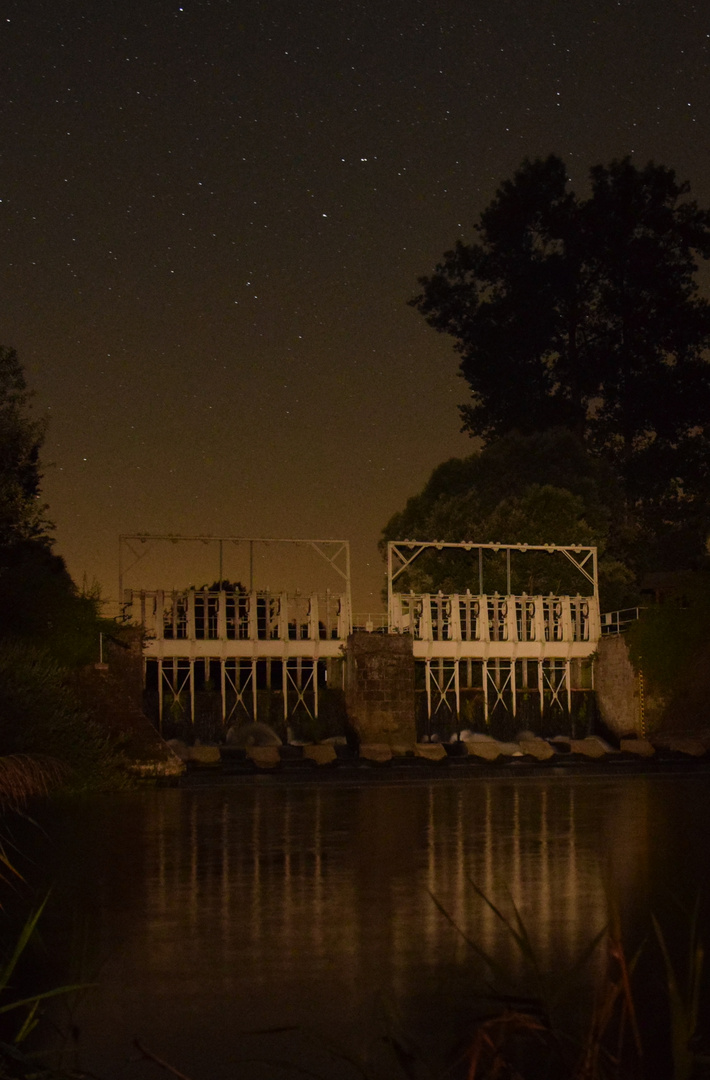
<point x="513" y="636"/>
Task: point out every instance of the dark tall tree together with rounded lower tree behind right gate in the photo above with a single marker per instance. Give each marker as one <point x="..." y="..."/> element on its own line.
<point x="584" y="341"/>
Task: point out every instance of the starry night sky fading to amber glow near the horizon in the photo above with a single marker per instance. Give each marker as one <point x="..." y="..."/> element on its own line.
<point x="213" y="213"/>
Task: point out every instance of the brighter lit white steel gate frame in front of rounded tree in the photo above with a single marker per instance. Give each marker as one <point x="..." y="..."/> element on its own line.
<point x="502" y="645"/>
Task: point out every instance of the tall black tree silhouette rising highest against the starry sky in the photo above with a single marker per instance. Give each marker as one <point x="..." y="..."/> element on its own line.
<point x="585" y="314"/>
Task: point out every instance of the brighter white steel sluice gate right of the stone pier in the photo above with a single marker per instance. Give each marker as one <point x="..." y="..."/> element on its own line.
<point x="488" y="645"/>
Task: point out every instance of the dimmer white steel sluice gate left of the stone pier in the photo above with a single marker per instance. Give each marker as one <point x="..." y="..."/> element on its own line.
<point x="257" y="640"/>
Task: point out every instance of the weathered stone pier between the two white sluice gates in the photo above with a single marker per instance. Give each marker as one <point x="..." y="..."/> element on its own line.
<point x="380" y="688"/>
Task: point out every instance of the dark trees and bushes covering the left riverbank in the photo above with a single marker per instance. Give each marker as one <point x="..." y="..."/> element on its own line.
<point x="49" y="630"/>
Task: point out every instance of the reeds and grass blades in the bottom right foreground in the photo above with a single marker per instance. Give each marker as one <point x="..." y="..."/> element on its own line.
<point x="529" y="1043"/>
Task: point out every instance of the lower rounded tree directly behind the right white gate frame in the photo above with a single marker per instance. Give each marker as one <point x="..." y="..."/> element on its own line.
<point x="539" y="490"/>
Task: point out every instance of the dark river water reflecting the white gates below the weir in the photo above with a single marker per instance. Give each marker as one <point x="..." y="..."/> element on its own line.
<point x="207" y="915"/>
